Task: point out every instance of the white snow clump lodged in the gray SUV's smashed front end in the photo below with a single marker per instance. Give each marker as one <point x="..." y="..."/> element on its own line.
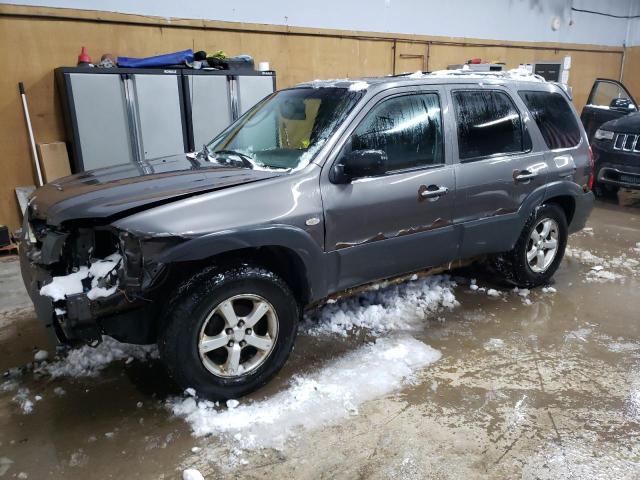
<point x="64" y="285"/>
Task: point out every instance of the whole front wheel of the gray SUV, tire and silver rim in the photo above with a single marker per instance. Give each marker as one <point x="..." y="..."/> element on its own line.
<point x="230" y="333"/>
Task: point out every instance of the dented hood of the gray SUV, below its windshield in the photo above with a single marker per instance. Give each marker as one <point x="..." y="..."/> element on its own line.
<point x="116" y="191"/>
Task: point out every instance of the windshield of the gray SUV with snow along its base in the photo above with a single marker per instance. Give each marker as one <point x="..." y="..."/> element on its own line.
<point x="287" y="129"/>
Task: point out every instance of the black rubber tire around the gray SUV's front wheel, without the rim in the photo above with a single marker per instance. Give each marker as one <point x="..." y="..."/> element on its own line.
<point x="180" y="330"/>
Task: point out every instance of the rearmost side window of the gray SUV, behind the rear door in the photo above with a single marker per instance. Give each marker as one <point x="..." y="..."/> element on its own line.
<point x="554" y="118"/>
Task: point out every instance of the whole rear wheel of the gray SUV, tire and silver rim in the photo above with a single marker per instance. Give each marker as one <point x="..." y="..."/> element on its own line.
<point x="535" y="258"/>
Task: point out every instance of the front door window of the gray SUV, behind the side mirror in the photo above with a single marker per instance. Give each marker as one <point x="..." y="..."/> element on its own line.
<point x="407" y="128"/>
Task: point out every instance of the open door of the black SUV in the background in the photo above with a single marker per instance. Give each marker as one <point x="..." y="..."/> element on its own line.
<point x="608" y="100"/>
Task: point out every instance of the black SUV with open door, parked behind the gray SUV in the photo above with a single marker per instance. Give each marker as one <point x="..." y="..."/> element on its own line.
<point x="612" y="122"/>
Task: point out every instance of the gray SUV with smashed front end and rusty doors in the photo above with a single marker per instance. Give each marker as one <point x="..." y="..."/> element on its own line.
<point x="318" y="189"/>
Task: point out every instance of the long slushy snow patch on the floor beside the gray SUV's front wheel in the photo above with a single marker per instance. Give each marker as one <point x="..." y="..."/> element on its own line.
<point x="313" y="400"/>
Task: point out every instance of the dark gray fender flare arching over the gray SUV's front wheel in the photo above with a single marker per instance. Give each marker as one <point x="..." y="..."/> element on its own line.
<point x="286" y="236"/>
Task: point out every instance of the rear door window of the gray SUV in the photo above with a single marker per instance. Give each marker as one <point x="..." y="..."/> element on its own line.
<point x="488" y="123"/>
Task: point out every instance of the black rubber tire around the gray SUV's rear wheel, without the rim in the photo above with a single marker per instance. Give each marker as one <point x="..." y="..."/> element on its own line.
<point x="513" y="267"/>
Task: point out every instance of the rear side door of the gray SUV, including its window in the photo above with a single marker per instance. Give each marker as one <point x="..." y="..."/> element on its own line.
<point x="498" y="166"/>
